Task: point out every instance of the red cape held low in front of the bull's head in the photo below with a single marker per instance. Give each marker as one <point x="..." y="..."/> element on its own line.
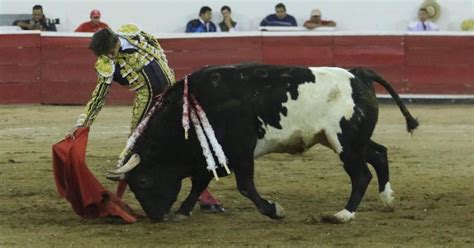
<point x="79" y="186"/>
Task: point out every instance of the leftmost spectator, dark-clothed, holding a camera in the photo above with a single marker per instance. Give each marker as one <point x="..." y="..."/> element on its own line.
<point x="38" y="21"/>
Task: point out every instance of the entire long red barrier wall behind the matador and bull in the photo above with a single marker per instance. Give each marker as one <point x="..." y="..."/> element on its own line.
<point x="60" y="70"/>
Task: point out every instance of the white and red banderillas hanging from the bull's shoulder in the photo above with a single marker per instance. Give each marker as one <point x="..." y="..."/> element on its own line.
<point x="204" y="132"/>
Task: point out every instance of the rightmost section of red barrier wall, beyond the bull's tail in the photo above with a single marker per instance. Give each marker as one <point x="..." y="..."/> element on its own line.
<point x="440" y="64"/>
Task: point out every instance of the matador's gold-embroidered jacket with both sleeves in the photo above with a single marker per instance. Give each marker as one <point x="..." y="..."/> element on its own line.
<point x="143" y="69"/>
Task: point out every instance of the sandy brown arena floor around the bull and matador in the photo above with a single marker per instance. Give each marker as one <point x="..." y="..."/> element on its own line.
<point x="432" y="173"/>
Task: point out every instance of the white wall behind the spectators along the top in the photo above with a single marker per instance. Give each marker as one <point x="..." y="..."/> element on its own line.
<point x="163" y="16"/>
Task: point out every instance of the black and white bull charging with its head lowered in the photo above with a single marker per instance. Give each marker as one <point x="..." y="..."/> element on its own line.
<point x="258" y="109"/>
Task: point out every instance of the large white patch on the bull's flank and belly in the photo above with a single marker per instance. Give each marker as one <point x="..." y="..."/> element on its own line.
<point x="319" y="108"/>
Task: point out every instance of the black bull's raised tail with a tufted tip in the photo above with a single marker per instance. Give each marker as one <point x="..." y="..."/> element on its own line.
<point x="371" y="75"/>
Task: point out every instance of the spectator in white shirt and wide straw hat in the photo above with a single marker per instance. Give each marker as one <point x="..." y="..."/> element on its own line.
<point x="428" y="12"/>
